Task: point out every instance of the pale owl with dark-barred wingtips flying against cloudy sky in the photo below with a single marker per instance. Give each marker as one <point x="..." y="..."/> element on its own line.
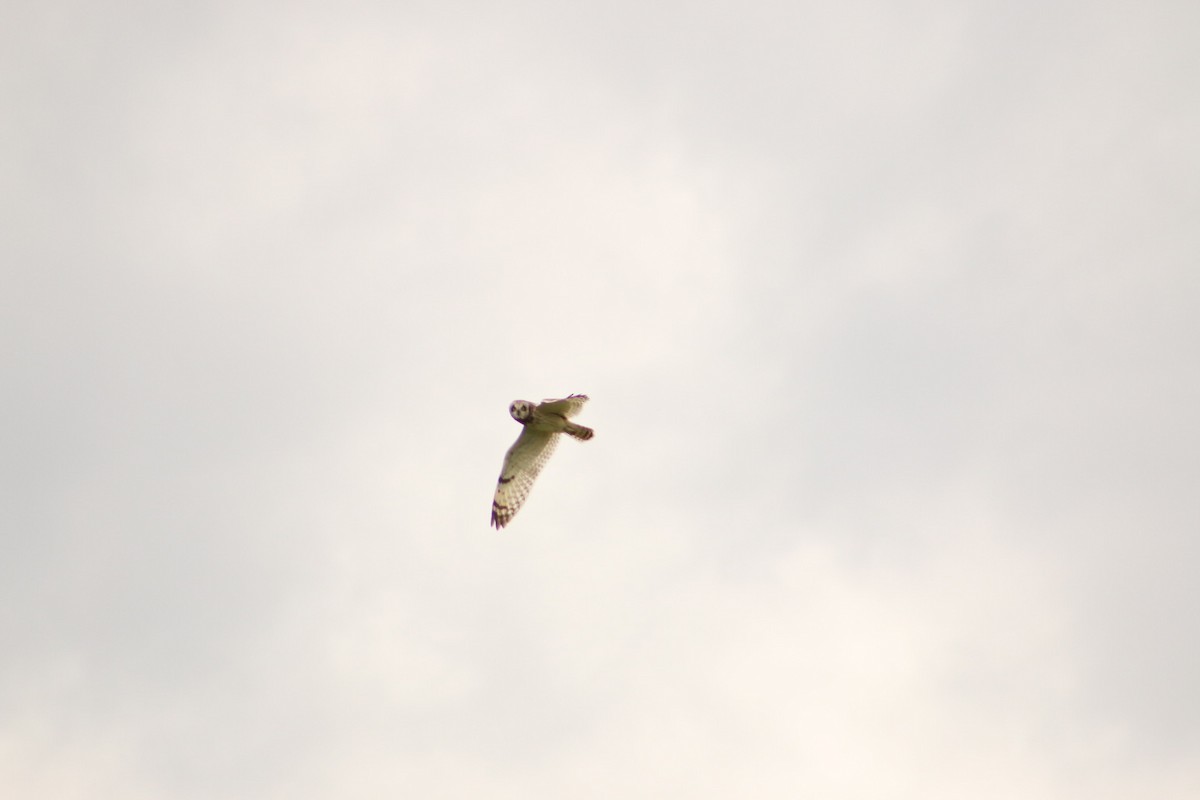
<point x="539" y="436"/>
